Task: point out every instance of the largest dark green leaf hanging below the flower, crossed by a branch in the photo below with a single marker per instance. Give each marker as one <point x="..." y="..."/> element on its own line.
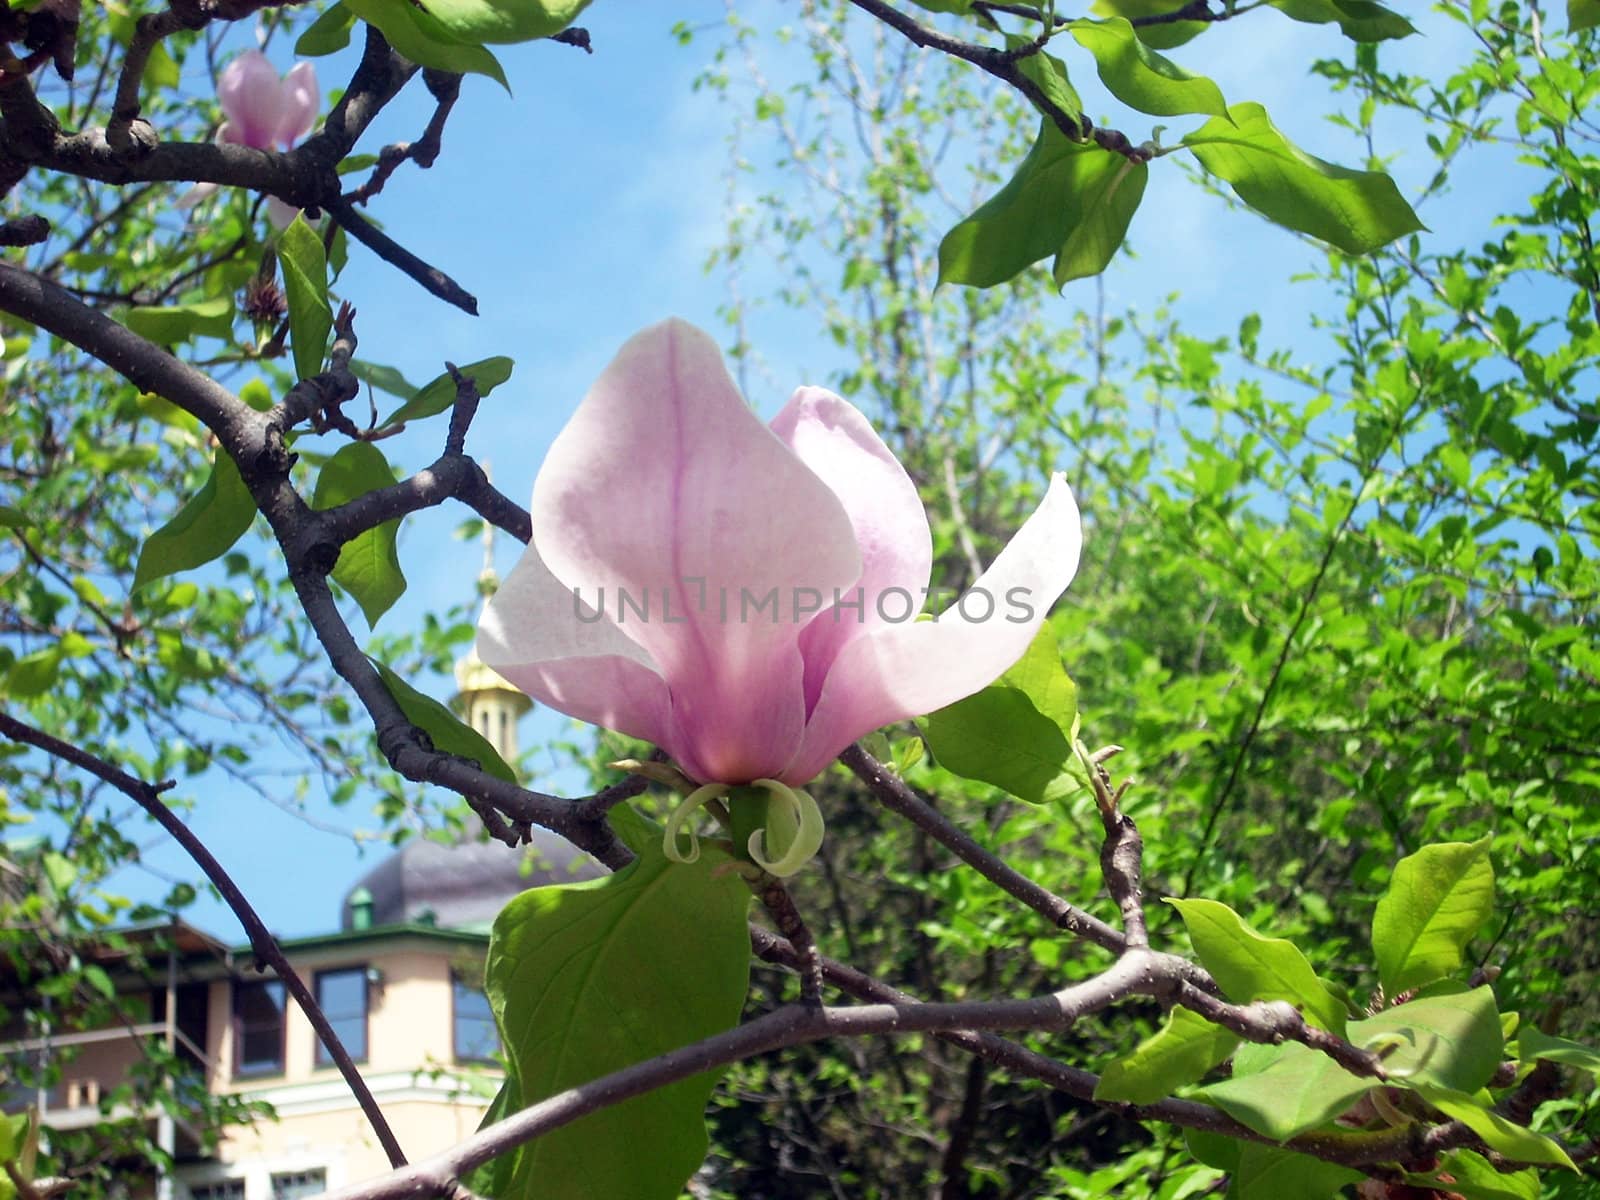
<point x="590" y="978"/>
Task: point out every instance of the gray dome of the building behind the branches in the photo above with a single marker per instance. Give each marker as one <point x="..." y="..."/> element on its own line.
<point x="468" y="884"/>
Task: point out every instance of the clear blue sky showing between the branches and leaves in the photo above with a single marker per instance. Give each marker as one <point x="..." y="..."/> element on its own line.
<point x="585" y="209"/>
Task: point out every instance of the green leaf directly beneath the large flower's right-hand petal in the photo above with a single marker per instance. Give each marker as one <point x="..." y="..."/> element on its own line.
<point x="1017" y="734"/>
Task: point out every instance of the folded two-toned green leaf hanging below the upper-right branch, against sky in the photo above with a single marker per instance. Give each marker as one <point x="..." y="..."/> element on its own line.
<point x="1066" y="199"/>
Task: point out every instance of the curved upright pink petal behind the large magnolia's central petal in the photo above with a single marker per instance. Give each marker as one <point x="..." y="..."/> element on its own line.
<point x="892" y="529"/>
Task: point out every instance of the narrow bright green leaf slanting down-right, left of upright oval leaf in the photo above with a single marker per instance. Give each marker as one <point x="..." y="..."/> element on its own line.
<point x="1252" y="967"/>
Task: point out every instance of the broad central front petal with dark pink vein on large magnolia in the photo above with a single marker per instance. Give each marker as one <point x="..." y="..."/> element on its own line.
<point x="668" y="489"/>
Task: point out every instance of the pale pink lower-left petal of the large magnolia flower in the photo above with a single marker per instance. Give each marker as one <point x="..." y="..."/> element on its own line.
<point x="532" y="633"/>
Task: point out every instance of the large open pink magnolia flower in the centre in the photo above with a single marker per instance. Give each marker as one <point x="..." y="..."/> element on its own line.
<point x="745" y="596"/>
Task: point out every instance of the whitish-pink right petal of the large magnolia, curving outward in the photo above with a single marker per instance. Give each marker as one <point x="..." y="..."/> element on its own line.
<point x="910" y="670"/>
